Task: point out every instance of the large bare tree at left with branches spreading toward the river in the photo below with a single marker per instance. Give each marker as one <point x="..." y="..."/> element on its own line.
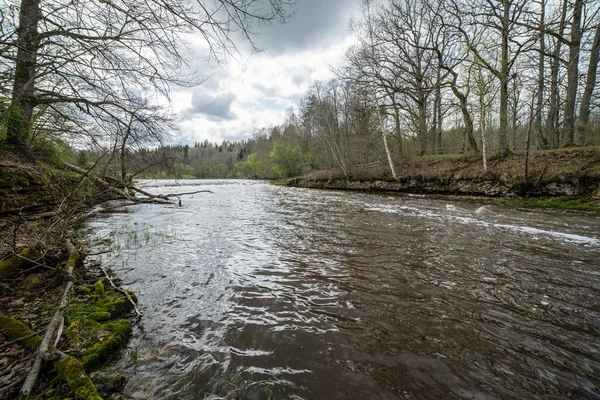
<point x="90" y="56"/>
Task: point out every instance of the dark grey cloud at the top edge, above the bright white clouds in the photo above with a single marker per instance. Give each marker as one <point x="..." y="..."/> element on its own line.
<point x="315" y="23"/>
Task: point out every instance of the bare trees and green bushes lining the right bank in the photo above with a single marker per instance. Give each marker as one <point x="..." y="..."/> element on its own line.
<point x="444" y="76"/>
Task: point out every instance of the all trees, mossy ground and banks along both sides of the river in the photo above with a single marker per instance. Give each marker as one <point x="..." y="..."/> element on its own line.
<point x="450" y="107"/>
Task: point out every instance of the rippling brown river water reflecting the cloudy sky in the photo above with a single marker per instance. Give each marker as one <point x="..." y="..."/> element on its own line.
<point x="261" y="291"/>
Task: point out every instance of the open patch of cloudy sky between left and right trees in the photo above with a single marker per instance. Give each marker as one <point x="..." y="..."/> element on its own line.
<point x="255" y="92"/>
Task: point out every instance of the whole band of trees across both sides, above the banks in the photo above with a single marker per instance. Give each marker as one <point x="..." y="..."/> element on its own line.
<point x="424" y="77"/>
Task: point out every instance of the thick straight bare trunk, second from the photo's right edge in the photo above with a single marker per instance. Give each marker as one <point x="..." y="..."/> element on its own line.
<point x="572" y="74"/>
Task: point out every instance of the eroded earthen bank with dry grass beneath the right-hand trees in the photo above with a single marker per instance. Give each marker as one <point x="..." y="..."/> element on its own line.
<point x="572" y="173"/>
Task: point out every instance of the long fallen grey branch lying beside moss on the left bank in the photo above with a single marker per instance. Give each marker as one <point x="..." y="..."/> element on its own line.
<point x="44" y="353"/>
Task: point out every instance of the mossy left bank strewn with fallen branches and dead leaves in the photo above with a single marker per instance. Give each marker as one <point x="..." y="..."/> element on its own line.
<point x="58" y="310"/>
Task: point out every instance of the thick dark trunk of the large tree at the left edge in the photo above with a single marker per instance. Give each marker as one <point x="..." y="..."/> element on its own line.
<point x="23" y="96"/>
